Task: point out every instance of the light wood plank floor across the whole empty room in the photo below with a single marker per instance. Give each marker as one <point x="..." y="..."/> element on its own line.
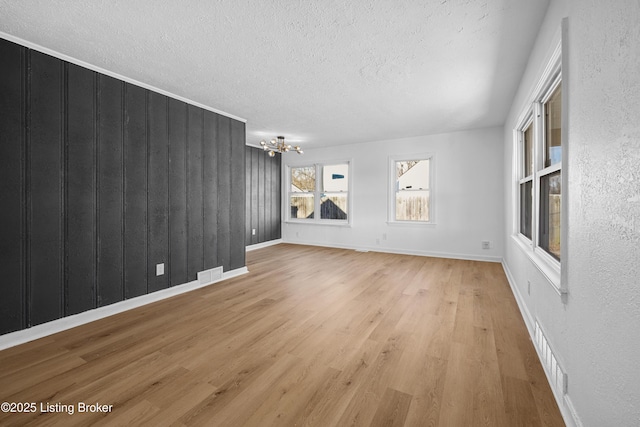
<point x="311" y="336"/>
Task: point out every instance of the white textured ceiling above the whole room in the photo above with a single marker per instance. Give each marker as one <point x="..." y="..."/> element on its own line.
<point x="319" y="72"/>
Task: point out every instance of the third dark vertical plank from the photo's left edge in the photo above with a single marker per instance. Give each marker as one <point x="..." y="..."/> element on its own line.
<point x="81" y="190"/>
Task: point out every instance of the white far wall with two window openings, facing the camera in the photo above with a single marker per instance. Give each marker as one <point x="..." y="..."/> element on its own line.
<point x="467" y="189"/>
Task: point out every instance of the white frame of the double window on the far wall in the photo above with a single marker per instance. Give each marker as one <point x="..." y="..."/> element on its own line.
<point x="317" y="193"/>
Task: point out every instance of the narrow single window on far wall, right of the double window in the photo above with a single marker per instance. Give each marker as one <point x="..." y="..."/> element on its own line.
<point x="410" y="182"/>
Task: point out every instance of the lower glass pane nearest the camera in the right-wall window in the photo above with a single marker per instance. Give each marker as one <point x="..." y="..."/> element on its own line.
<point x="550" y="191"/>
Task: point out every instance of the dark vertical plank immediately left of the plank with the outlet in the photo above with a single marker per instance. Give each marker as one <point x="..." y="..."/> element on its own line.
<point x="135" y="191"/>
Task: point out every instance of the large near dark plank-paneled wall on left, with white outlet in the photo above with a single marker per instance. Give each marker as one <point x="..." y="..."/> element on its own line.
<point x="100" y="180"/>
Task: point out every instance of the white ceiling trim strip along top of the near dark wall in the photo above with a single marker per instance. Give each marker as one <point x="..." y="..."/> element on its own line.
<point x="83" y="64"/>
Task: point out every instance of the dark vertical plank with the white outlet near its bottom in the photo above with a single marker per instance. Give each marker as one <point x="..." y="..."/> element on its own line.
<point x="158" y="195"/>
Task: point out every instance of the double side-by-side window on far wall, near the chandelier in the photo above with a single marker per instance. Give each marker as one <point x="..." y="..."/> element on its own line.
<point x="322" y="188"/>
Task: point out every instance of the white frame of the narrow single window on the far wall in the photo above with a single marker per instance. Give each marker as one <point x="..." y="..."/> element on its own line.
<point x="391" y="214"/>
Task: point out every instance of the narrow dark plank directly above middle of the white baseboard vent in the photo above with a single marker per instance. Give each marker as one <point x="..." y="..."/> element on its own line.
<point x="210" y="189"/>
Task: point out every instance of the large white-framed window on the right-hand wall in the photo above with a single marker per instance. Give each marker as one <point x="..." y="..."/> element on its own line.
<point x="539" y="152"/>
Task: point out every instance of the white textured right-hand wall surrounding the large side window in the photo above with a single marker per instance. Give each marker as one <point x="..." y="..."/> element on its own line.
<point x="596" y="333"/>
